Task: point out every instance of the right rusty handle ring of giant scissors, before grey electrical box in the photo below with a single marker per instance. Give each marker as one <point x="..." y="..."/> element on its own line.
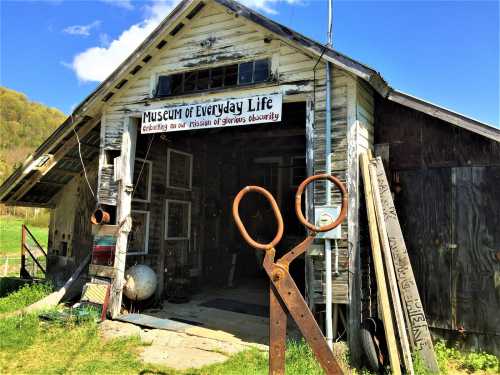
<point x="298" y="202"/>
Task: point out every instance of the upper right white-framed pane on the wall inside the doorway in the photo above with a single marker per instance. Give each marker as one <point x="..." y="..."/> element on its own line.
<point x="179" y="170"/>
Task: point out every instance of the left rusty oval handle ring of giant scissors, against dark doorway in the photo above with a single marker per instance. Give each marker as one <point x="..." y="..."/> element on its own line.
<point x="276" y="211"/>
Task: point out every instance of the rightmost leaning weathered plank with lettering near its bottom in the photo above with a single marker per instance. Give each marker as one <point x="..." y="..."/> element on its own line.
<point x="419" y="330"/>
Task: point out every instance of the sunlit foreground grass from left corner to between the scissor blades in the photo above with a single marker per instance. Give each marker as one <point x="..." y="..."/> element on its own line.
<point x="31" y="346"/>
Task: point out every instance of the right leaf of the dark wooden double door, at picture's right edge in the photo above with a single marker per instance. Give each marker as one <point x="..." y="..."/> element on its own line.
<point x="476" y="257"/>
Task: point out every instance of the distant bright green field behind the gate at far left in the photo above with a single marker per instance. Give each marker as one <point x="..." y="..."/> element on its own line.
<point x="10" y="234"/>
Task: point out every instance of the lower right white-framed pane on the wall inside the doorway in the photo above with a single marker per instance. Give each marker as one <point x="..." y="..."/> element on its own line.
<point x="178" y="219"/>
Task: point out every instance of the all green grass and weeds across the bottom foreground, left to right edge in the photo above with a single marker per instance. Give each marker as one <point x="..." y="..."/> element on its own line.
<point x="31" y="346"/>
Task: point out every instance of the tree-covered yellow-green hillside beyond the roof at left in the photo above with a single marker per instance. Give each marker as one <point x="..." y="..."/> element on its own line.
<point x="24" y="125"/>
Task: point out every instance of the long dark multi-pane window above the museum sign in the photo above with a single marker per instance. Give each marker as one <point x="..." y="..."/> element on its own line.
<point x="241" y="74"/>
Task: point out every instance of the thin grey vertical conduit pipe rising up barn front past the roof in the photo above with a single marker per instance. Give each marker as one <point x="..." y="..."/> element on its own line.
<point x="328" y="151"/>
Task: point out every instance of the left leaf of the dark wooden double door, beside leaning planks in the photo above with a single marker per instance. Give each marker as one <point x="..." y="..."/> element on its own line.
<point x="424" y="208"/>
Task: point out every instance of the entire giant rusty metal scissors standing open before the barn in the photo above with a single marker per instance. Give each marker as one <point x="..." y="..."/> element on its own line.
<point x="283" y="294"/>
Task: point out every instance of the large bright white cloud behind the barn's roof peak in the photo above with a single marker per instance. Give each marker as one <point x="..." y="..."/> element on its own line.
<point x="97" y="63"/>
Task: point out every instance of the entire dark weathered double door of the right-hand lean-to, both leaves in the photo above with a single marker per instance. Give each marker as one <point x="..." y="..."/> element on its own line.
<point x="451" y="224"/>
